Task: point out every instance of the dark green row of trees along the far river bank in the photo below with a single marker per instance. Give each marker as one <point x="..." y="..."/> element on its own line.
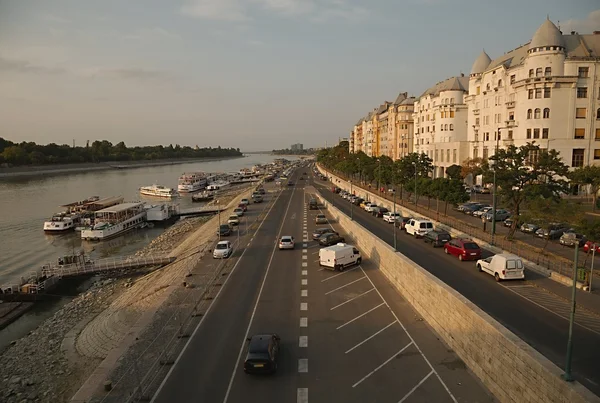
<point x="30" y="153"/>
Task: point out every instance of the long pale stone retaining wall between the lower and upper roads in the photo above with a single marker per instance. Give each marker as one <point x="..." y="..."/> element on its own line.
<point x="510" y="369"/>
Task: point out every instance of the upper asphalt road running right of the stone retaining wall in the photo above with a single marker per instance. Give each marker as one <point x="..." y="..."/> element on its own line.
<point x="538" y="317"/>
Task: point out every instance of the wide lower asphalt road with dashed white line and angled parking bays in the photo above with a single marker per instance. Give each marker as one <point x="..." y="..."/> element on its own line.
<point x="345" y="337"/>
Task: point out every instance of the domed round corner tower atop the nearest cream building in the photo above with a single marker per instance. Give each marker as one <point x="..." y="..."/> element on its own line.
<point x="546" y="51"/>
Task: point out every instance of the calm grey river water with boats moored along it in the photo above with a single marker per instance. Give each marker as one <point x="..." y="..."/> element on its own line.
<point x="25" y="203"/>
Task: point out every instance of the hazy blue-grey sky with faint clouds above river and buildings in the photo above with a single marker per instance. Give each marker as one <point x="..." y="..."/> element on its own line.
<point x="253" y="74"/>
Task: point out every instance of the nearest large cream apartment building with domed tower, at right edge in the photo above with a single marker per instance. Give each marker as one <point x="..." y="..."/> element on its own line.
<point x="547" y="92"/>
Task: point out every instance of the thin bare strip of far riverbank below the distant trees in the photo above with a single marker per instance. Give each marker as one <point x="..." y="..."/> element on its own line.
<point x="24" y="171"/>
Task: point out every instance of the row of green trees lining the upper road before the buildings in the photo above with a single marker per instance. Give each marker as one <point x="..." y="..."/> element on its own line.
<point x="531" y="181"/>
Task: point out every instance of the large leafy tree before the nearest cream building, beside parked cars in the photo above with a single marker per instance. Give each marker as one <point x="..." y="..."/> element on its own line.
<point x="526" y="173"/>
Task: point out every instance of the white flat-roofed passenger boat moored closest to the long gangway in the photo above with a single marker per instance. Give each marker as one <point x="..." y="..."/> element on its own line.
<point x="115" y="220"/>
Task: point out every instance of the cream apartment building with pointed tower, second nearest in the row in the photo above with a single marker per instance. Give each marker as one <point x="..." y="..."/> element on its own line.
<point x="440" y="124"/>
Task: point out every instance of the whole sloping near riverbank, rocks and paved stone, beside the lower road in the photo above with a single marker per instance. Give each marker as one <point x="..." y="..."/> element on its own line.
<point x="55" y="360"/>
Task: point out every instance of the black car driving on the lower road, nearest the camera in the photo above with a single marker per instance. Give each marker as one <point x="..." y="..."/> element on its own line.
<point x="262" y="354"/>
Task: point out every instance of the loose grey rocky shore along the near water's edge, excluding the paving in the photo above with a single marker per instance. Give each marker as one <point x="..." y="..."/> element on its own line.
<point x="51" y="363"/>
